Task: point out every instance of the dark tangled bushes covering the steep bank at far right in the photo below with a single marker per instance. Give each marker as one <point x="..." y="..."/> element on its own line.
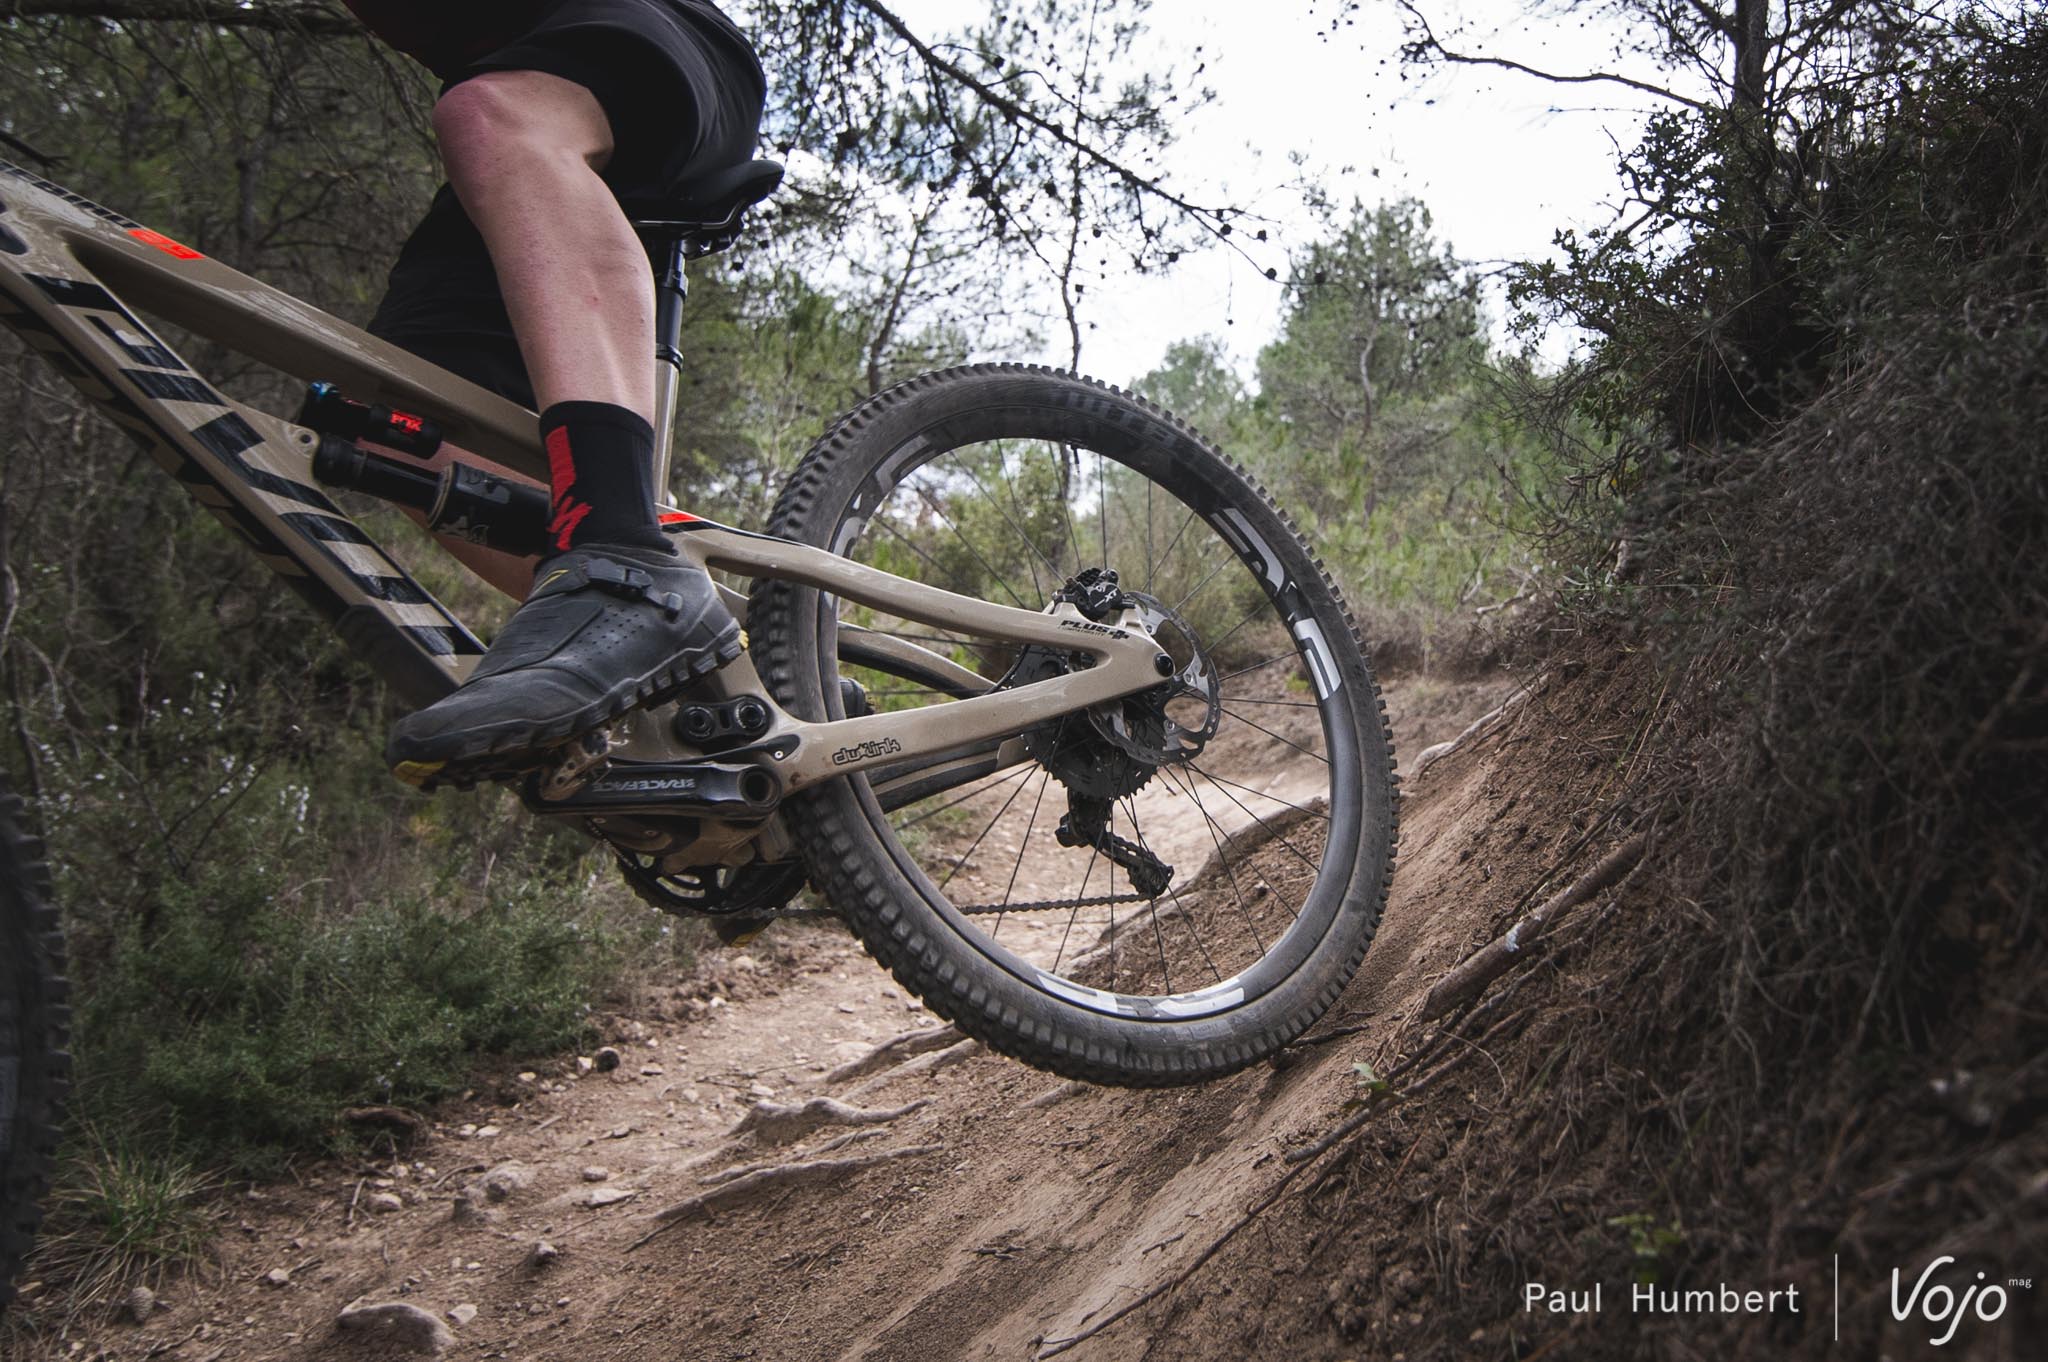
<point x="1803" y="472"/>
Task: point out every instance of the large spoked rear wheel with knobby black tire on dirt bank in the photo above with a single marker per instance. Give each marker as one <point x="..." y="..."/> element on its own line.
<point x="1154" y="892"/>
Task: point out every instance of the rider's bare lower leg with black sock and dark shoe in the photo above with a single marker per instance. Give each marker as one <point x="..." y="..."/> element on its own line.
<point x="615" y="618"/>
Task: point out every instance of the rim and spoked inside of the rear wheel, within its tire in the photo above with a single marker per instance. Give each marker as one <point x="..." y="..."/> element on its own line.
<point x="1013" y="519"/>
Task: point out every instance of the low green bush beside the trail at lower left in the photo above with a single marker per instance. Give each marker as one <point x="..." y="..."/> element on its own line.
<point x="245" y="1017"/>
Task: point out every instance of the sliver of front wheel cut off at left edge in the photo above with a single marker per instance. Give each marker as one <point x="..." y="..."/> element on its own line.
<point x="34" y="1017"/>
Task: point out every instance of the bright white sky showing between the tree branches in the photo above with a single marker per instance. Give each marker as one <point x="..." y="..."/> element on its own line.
<point x="1502" y="161"/>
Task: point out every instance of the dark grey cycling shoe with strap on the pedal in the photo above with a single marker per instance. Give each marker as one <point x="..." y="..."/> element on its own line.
<point x="607" y="628"/>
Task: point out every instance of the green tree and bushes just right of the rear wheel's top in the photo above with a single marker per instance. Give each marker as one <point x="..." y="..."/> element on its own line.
<point x="1375" y="425"/>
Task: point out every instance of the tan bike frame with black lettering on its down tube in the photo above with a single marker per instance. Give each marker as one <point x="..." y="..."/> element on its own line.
<point x="71" y="282"/>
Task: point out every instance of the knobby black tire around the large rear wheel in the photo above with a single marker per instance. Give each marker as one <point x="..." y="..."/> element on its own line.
<point x="880" y="888"/>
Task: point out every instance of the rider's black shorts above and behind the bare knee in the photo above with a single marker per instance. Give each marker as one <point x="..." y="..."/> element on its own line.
<point x="683" y="91"/>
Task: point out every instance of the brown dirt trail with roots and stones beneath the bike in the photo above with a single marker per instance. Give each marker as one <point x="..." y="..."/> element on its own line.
<point x="1035" y="1207"/>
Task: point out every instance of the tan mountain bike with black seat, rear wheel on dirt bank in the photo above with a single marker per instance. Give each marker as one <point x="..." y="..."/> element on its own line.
<point x="1043" y="695"/>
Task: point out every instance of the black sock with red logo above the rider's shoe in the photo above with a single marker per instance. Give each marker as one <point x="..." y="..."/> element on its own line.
<point x="601" y="472"/>
